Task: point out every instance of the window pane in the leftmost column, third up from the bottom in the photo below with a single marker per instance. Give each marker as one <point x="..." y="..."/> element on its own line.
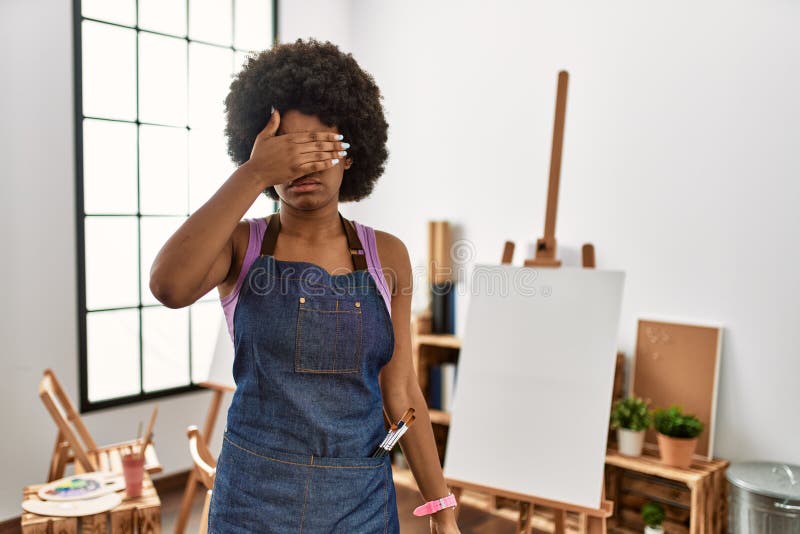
<point x="109" y="167"/>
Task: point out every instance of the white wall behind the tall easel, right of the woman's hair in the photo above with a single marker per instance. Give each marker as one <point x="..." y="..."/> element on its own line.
<point x="681" y="162"/>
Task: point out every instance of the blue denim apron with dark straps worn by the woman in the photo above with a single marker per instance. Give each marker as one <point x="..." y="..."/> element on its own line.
<point x="307" y="411"/>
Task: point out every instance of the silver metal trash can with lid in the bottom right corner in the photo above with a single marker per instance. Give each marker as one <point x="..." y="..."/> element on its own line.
<point x="764" y="498"/>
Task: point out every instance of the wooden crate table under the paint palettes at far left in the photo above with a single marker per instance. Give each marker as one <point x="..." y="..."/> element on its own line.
<point x="138" y="515"/>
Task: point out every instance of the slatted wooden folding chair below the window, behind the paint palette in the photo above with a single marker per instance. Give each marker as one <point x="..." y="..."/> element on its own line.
<point x="75" y="444"/>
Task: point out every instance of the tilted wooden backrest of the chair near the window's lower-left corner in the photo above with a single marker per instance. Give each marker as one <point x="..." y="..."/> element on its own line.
<point x="67" y="419"/>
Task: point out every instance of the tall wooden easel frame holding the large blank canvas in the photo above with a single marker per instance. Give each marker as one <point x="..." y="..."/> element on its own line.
<point x="590" y="520"/>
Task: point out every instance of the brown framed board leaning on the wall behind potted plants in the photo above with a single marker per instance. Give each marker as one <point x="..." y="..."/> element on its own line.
<point x="679" y="364"/>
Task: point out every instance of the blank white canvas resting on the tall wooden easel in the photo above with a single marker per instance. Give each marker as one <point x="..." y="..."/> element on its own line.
<point x="535" y="378"/>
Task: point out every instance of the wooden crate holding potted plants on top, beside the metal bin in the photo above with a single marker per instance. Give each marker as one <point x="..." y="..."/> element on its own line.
<point x="694" y="499"/>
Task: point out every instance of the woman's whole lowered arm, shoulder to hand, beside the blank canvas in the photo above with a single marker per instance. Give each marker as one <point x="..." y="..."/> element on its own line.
<point x="400" y="386"/>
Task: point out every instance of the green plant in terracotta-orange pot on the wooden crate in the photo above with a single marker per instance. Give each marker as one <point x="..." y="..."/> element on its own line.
<point x="677" y="435"/>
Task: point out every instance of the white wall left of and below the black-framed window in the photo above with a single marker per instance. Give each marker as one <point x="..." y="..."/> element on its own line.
<point x="37" y="220"/>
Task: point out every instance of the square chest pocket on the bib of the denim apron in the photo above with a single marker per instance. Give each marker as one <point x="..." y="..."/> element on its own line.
<point x="328" y="336"/>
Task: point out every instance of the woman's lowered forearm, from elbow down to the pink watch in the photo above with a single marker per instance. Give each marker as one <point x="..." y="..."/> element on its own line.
<point x="419" y="446"/>
